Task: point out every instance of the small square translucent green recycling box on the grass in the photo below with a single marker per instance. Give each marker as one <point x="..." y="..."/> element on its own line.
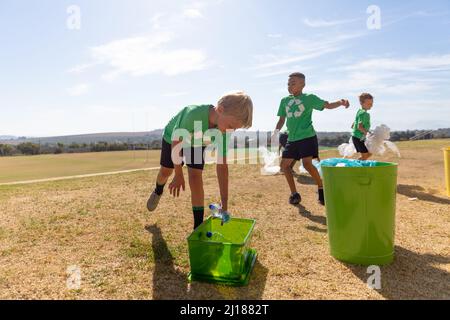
<point x="226" y="259"/>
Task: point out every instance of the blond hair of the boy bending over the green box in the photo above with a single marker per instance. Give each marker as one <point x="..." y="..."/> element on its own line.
<point x="239" y="105"/>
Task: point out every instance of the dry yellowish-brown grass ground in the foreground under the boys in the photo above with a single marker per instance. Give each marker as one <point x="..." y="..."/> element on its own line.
<point x="100" y="226"/>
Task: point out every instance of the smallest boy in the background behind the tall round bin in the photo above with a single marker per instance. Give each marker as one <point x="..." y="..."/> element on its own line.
<point x="361" y="126"/>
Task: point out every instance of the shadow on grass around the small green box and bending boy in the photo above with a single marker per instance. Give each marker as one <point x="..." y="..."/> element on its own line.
<point x="172" y="284"/>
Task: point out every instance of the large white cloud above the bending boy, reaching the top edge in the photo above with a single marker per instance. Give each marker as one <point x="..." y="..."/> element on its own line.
<point x="150" y="54"/>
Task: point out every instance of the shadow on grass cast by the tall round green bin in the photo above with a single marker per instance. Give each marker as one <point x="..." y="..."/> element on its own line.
<point x="411" y="276"/>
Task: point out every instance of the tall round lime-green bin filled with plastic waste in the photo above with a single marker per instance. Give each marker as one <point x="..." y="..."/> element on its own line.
<point x="360" y="206"/>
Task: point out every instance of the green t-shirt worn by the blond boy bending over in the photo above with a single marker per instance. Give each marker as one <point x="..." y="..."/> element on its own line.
<point x="195" y="122"/>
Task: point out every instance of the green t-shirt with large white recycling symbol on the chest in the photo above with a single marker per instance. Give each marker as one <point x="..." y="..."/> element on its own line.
<point x="298" y="112"/>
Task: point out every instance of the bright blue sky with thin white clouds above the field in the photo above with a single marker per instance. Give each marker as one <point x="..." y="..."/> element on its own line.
<point x="133" y="64"/>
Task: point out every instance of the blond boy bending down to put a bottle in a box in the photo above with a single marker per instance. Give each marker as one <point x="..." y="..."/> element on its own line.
<point x="184" y="135"/>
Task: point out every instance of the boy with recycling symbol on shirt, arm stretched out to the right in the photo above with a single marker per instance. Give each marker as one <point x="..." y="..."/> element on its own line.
<point x="302" y="142"/>
